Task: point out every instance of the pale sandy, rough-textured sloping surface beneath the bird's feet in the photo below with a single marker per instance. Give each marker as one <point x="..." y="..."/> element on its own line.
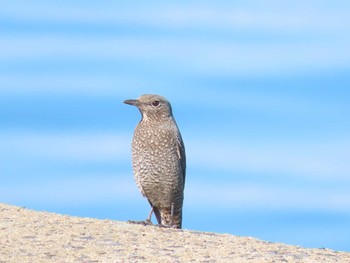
<point x="30" y="236"/>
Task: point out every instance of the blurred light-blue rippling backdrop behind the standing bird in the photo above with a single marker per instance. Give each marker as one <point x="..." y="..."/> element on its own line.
<point x="260" y="91"/>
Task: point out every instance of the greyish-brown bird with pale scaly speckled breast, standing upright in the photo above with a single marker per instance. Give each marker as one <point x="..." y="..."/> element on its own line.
<point x="159" y="160"/>
